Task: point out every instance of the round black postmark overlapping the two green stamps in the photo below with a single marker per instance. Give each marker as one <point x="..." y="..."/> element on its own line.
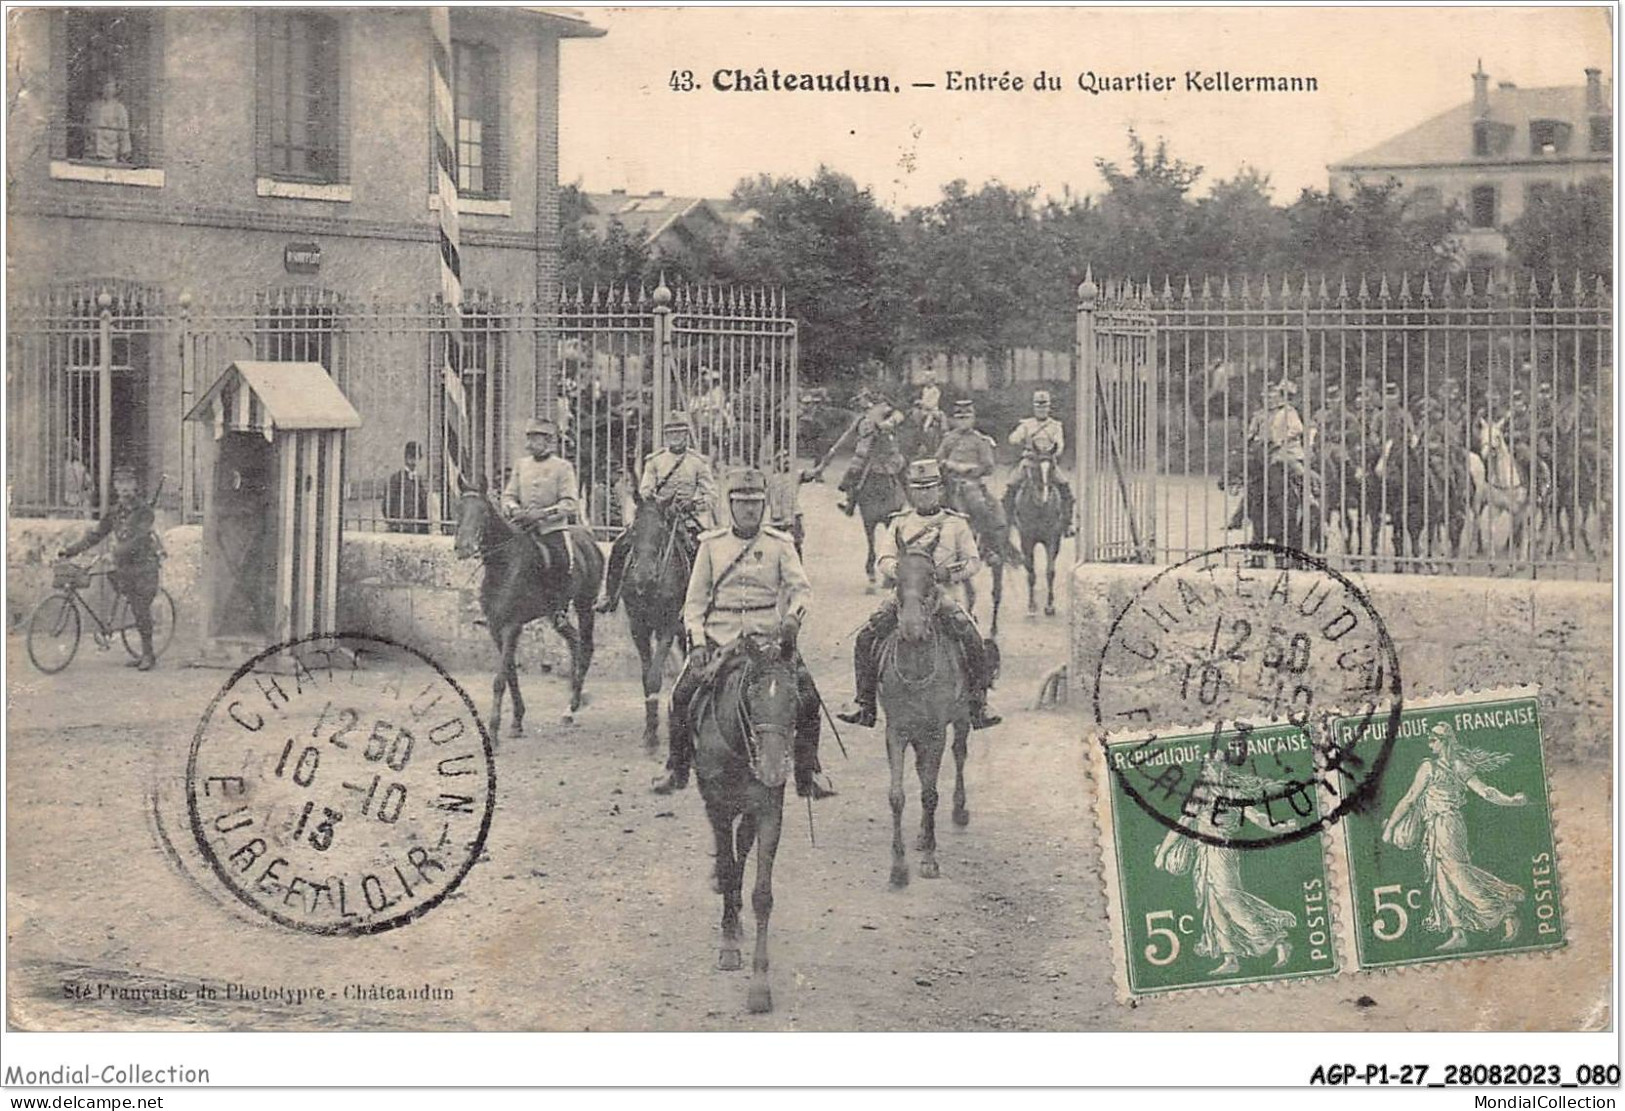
<point x="1273" y="673"/>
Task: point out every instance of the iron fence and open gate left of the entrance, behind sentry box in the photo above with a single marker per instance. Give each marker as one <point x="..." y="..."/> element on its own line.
<point x="105" y="373"/>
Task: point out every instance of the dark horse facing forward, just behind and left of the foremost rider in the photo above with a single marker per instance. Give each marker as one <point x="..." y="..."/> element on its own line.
<point x="657" y="581"/>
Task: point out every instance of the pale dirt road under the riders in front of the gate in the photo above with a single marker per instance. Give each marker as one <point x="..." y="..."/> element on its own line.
<point x="592" y="909"/>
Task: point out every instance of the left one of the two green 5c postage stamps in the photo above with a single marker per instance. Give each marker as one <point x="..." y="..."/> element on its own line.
<point x="1223" y="897"/>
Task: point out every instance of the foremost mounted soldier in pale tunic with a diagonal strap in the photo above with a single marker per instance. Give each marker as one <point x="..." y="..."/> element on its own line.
<point x="747" y="581"/>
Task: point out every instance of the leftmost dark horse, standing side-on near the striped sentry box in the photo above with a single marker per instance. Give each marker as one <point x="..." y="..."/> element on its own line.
<point x="521" y="587"/>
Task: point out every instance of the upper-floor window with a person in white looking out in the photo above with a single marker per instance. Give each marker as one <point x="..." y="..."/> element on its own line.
<point x="106" y="87"/>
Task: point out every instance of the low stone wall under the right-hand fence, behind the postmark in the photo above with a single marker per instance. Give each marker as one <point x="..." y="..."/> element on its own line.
<point x="1452" y="634"/>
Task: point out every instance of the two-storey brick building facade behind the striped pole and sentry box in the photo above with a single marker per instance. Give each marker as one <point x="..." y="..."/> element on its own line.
<point x="236" y="183"/>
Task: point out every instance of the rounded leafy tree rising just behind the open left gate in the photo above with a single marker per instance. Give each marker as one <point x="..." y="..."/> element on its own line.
<point x="839" y="259"/>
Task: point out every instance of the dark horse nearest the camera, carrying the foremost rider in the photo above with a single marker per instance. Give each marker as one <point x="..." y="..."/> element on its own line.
<point x="743" y="735"/>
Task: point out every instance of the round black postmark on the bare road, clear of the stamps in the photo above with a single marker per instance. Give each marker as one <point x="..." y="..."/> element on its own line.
<point x="340" y="784"/>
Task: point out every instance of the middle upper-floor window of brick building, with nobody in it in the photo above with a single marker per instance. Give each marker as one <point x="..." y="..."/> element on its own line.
<point x="301" y="121"/>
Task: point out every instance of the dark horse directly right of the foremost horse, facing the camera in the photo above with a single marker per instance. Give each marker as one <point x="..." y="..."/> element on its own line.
<point x="922" y="693"/>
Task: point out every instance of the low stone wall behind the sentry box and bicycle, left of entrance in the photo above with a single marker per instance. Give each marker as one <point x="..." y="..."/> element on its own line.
<point x="409" y="589"/>
